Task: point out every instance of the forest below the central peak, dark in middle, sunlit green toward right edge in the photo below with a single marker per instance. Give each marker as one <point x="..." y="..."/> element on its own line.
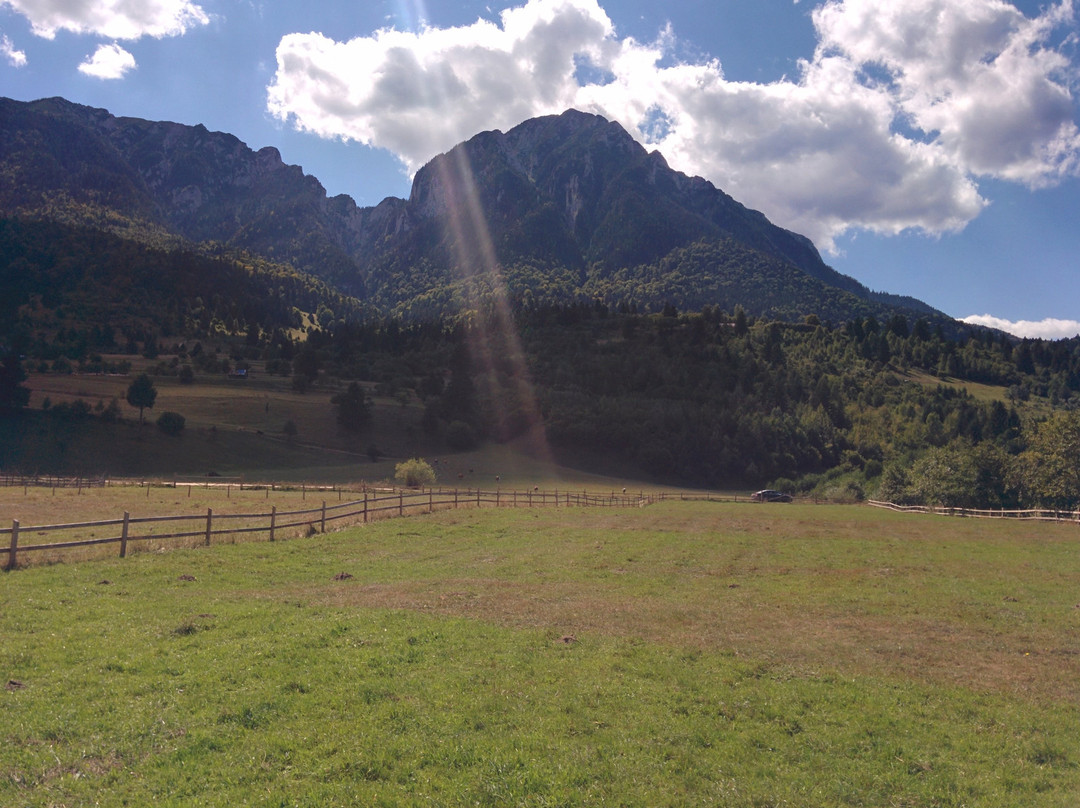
<point x="715" y="398"/>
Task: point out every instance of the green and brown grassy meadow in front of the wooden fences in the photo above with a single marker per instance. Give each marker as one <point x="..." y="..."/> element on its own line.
<point x="686" y="654"/>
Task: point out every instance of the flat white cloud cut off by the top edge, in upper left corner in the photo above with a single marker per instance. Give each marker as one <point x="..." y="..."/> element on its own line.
<point x="113" y="19"/>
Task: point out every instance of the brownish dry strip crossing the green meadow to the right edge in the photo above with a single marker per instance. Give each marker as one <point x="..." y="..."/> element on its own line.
<point x="1029" y="665"/>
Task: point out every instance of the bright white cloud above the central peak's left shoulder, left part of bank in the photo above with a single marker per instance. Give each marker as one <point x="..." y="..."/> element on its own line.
<point x="418" y="95"/>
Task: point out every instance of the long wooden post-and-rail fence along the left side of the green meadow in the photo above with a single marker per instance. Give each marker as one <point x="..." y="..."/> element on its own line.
<point x="129" y="531"/>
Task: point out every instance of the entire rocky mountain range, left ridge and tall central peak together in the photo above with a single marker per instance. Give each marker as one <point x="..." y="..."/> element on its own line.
<point x="559" y="209"/>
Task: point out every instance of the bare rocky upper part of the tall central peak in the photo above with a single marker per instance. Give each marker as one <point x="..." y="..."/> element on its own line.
<point x="618" y="206"/>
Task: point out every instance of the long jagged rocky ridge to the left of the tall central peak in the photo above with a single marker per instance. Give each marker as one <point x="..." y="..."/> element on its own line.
<point x="84" y="166"/>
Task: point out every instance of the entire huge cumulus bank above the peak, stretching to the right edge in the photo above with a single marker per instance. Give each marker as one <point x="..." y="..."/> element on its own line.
<point x="889" y="127"/>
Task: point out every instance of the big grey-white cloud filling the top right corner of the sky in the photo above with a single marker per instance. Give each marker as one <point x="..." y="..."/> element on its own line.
<point x="977" y="74"/>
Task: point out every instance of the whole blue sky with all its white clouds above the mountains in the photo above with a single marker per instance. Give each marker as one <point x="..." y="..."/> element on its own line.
<point x="929" y="147"/>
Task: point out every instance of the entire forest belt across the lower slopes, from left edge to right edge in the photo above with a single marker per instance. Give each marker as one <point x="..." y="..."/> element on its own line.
<point x="709" y="398"/>
